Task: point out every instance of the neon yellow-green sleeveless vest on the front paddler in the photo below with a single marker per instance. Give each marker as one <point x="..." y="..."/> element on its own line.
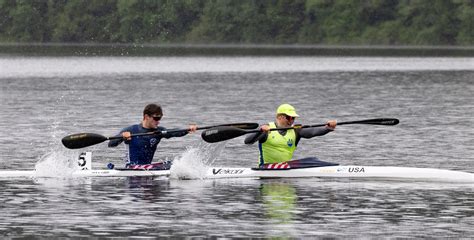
<point x="277" y="148"/>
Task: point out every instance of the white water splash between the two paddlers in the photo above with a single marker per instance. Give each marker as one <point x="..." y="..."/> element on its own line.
<point x="195" y="161"/>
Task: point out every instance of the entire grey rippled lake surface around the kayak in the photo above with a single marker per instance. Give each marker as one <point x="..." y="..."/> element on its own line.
<point x="43" y="99"/>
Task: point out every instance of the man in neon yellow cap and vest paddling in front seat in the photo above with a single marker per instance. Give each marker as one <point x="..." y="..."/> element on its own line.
<point x="279" y="146"/>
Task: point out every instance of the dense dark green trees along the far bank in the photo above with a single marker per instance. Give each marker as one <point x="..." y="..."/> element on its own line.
<point x="356" y="22"/>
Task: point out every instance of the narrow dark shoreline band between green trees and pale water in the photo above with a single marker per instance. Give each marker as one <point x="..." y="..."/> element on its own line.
<point x="148" y="49"/>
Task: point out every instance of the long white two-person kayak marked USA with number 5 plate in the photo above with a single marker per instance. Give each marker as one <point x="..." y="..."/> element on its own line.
<point x="333" y="171"/>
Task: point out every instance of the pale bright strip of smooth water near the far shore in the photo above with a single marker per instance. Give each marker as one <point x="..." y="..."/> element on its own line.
<point x="51" y="67"/>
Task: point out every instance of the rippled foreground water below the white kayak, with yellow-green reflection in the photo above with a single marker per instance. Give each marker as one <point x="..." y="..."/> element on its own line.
<point x="235" y="208"/>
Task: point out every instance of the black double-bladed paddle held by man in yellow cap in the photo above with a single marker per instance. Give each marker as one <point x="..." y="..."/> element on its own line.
<point x="223" y="133"/>
